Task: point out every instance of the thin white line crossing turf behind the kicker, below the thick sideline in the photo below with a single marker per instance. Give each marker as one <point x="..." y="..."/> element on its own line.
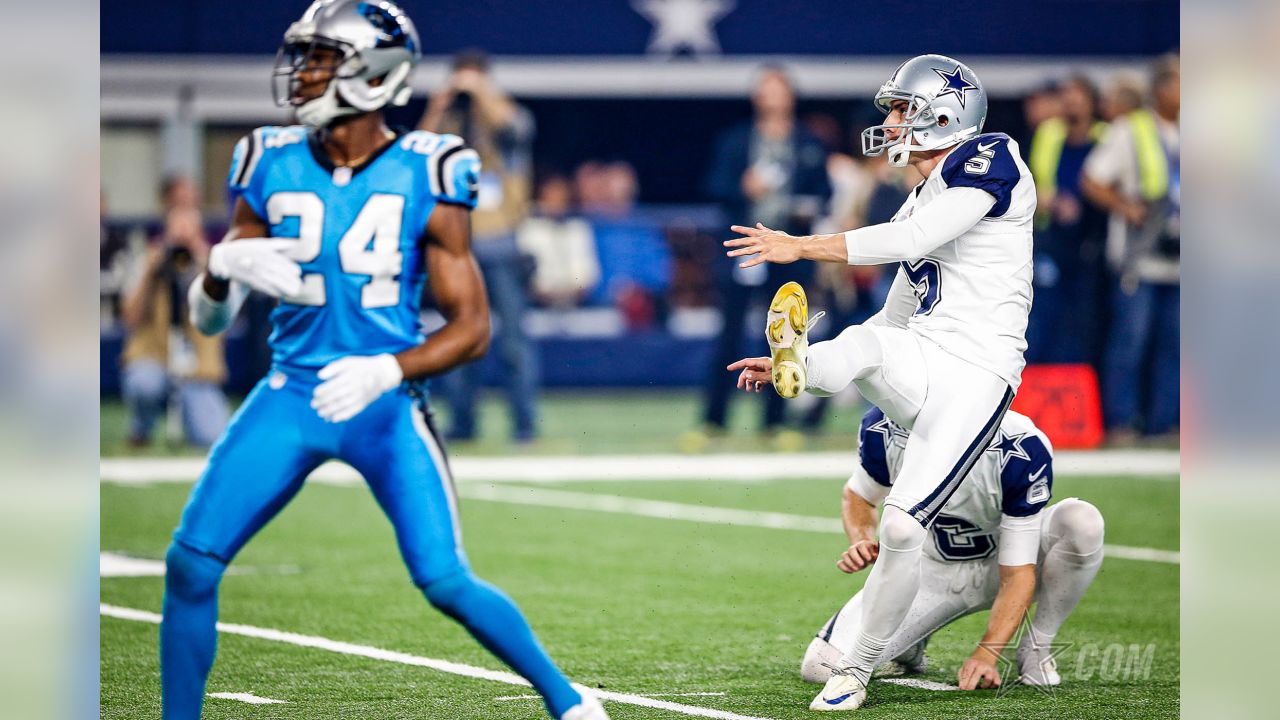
<point x="668" y="511"/>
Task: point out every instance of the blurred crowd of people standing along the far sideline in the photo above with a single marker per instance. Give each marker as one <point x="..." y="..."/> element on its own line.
<point x="569" y="240"/>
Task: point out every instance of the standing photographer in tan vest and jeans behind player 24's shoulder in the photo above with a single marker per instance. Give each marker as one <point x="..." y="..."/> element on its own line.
<point x="502" y="133"/>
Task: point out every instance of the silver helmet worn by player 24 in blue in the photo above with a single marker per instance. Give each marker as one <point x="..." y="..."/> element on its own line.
<point x="373" y="40"/>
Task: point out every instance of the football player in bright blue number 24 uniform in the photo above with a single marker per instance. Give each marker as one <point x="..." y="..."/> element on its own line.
<point x="345" y="222"/>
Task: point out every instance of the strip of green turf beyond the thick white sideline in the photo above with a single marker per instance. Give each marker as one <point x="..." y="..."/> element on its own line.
<point x="573" y="423"/>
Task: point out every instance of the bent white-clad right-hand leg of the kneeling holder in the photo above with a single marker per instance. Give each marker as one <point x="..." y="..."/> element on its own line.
<point x="1072" y="536"/>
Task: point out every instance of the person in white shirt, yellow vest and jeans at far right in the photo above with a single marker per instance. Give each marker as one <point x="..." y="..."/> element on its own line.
<point x="1135" y="175"/>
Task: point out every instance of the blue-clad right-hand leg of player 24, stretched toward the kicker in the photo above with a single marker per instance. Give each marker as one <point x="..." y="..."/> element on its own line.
<point x="400" y="454"/>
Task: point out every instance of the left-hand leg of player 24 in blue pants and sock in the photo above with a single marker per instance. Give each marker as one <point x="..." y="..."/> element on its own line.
<point x="254" y="471"/>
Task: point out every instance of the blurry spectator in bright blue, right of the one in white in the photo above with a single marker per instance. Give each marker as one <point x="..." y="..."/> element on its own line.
<point x="636" y="261"/>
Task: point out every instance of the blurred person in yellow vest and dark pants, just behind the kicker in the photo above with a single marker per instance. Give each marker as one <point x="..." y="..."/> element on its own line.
<point x="1068" y="320"/>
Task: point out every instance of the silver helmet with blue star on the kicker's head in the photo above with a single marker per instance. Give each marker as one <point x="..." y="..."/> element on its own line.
<point x="945" y="106"/>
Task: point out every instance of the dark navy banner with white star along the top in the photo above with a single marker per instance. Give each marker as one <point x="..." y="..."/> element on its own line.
<point x="682" y="28"/>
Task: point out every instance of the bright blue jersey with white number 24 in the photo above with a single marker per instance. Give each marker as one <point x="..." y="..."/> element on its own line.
<point x="359" y="236"/>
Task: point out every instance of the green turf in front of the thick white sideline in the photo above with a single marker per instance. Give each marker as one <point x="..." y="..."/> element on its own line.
<point x="637" y="605"/>
